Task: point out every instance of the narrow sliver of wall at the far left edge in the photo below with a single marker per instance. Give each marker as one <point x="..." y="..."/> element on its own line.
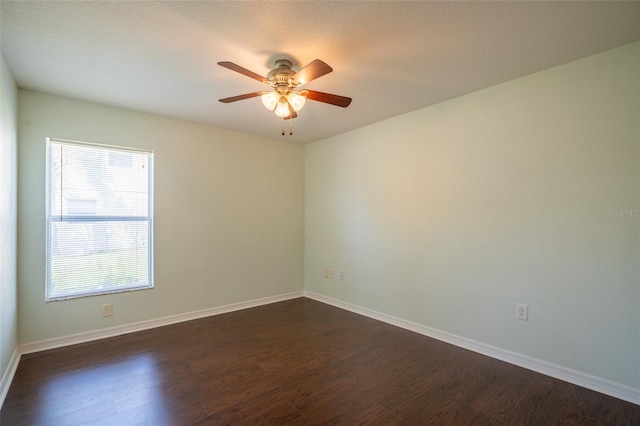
<point x="8" y="217"/>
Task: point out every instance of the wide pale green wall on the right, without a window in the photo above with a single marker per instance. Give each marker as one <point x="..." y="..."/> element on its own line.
<point x="524" y="192"/>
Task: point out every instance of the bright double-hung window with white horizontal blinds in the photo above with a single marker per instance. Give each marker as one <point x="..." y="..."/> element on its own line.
<point x="99" y="219"/>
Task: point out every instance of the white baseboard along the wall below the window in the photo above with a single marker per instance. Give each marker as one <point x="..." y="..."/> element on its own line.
<point x="104" y="333"/>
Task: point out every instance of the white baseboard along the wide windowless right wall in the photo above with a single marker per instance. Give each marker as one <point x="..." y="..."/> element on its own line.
<point x="607" y="387"/>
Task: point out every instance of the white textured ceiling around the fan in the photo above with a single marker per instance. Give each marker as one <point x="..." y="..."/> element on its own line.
<point x="391" y="57"/>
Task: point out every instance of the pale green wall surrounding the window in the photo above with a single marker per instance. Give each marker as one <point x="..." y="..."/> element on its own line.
<point x="228" y="216"/>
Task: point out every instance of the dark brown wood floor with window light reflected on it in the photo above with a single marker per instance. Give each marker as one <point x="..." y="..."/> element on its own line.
<point x="297" y="362"/>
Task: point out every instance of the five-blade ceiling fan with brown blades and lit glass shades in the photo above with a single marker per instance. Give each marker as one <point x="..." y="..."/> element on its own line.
<point x="286" y="98"/>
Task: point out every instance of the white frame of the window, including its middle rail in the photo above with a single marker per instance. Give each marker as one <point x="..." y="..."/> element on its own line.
<point x="88" y="218"/>
